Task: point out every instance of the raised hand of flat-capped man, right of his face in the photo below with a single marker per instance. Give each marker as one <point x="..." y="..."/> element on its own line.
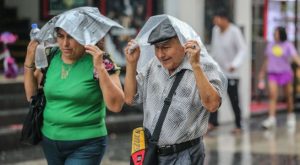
<point x="192" y="50"/>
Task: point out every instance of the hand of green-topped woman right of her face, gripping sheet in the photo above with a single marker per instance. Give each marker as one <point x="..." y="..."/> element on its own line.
<point x="97" y="56"/>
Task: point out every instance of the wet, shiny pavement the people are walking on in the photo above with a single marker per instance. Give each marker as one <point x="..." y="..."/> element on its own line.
<point x="254" y="146"/>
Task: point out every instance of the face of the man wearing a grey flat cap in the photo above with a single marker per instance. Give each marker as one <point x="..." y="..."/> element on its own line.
<point x="170" y="53"/>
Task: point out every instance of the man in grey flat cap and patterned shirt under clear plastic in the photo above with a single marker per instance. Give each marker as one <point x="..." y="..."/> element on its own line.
<point x="176" y="47"/>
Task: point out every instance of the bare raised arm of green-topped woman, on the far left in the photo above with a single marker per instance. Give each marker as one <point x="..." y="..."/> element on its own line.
<point x="30" y="73"/>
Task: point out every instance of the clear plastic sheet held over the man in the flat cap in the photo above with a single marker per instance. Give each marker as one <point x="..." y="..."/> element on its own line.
<point x="184" y="33"/>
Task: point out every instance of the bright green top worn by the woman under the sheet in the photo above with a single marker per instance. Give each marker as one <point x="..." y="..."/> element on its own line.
<point x="75" y="109"/>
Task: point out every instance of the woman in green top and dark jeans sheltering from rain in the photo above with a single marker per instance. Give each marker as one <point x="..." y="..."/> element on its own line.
<point x="79" y="85"/>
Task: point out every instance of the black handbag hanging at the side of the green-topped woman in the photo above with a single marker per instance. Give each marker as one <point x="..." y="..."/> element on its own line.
<point x="31" y="131"/>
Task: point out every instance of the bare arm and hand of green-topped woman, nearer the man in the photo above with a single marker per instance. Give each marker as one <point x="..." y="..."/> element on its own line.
<point x="110" y="84"/>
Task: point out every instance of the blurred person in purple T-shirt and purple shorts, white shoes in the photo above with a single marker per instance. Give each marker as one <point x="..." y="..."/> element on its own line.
<point x="277" y="66"/>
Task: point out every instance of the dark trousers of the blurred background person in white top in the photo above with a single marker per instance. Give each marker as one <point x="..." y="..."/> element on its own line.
<point x="232" y="91"/>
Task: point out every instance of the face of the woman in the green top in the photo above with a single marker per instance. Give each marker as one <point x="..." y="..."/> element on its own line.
<point x="68" y="45"/>
